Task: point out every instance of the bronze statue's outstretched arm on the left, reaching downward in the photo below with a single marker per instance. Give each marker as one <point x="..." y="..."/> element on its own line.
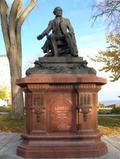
<point x="45" y="32"/>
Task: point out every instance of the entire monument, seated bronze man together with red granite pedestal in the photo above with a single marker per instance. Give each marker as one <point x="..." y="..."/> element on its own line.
<point x="61" y="100"/>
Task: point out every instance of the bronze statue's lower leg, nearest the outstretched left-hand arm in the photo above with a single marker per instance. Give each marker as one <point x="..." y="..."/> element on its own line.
<point x="54" y="44"/>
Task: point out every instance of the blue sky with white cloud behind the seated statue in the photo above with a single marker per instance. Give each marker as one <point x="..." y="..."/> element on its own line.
<point x="90" y="38"/>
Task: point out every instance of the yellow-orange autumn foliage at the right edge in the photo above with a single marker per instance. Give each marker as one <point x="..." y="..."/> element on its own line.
<point x="111" y="57"/>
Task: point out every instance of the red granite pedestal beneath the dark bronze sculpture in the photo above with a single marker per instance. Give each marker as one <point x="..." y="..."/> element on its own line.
<point x="61" y="120"/>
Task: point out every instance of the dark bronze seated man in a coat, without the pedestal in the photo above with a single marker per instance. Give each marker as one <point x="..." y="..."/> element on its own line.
<point x="62" y="40"/>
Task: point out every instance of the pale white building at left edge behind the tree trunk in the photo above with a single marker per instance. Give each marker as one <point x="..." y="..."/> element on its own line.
<point x="4" y="71"/>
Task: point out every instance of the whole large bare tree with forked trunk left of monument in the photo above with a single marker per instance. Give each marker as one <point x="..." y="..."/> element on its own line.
<point x="11" y="22"/>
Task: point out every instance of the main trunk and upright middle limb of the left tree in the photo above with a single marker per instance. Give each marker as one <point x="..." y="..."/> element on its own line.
<point x="15" y="63"/>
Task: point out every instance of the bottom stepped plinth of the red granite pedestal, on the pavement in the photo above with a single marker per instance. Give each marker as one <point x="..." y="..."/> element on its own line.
<point x="61" y="147"/>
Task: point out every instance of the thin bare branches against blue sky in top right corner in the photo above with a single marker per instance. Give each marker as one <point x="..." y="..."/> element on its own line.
<point x="110" y="10"/>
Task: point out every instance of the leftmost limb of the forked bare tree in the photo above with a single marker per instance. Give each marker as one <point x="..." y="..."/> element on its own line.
<point x="4" y="10"/>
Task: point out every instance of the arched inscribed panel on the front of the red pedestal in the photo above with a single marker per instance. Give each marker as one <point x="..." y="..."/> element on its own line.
<point x="61" y="116"/>
